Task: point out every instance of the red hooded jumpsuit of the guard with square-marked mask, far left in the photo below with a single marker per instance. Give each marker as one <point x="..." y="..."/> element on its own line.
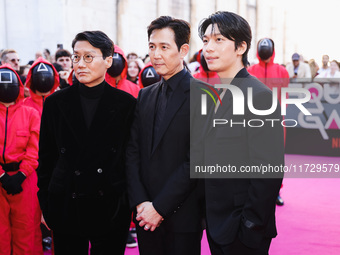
<point x="19" y="135"/>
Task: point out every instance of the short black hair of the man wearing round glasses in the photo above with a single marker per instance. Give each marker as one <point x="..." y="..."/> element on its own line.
<point x="97" y="39"/>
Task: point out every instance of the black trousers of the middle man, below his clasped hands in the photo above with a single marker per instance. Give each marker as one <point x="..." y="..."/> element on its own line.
<point x="163" y="242"/>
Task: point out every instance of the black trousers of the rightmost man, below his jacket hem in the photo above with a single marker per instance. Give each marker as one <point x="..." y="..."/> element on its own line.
<point x="238" y="248"/>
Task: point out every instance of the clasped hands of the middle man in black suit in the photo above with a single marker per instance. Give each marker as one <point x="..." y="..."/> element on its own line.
<point x="148" y="216"/>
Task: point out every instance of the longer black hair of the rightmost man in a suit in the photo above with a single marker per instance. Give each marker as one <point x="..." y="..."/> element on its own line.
<point x="231" y="26"/>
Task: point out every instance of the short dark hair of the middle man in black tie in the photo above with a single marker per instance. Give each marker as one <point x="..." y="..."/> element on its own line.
<point x="180" y="27"/>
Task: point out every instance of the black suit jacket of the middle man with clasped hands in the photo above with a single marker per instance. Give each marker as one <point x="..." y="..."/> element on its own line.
<point x="161" y="174"/>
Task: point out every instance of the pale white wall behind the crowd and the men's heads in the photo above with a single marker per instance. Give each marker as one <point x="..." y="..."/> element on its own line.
<point x="29" y="26"/>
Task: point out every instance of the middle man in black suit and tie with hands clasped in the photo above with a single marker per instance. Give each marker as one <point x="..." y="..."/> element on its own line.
<point x="159" y="185"/>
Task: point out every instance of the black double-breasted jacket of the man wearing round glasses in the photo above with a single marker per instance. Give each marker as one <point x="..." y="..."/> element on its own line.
<point x="81" y="174"/>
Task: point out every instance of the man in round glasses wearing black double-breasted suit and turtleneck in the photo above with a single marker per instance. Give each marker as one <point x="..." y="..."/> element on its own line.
<point x="81" y="174"/>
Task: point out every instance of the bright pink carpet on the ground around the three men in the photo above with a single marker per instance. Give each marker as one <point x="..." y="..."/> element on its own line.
<point x="309" y="222"/>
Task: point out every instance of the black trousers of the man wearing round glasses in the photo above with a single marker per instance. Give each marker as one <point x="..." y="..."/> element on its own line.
<point x="110" y="243"/>
